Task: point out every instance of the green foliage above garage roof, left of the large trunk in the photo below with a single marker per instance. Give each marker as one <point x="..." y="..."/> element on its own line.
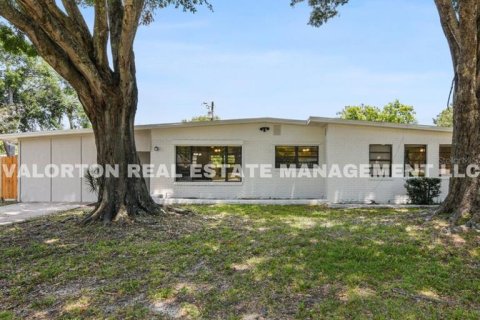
<point x="33" y="96"/>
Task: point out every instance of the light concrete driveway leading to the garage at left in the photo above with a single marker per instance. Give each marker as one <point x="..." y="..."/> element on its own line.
<point x="19" y="212"/>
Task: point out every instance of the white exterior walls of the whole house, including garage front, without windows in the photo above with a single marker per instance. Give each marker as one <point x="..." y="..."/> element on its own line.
<point x="338" y="144"/>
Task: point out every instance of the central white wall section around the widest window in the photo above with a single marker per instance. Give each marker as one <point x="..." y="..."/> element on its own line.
<point x="257" y="148"/>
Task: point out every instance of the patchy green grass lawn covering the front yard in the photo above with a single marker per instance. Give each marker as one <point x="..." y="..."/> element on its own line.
<point x="242" y="262"/>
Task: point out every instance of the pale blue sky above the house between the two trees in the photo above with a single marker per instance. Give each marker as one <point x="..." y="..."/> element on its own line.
<point x="259" y="58"/>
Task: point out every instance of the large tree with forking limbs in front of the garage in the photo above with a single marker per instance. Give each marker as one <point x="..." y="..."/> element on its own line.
<point x="104" y="81"/>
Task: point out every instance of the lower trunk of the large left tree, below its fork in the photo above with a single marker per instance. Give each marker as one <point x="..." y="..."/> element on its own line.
<point x="124" y="196"/>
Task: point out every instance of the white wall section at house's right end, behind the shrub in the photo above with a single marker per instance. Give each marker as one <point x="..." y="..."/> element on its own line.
<point x="350" y="145"/>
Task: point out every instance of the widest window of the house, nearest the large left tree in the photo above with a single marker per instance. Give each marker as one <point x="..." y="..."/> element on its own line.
<point x="210" y="163"/>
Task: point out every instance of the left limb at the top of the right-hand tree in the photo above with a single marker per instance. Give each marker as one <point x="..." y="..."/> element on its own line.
<point x="450" y="26"/>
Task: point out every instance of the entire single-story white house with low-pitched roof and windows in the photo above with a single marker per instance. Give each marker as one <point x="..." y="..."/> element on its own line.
<point x="262" y="146"/>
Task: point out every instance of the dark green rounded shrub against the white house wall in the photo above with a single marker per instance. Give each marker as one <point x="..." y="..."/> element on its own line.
<point x="423" y="190"/>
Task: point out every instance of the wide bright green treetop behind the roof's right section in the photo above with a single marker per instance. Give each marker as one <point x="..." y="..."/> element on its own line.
<point x="394" y="112"/>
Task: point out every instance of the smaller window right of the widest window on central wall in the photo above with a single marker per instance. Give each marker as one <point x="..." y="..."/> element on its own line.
<point x="297" y="156"/>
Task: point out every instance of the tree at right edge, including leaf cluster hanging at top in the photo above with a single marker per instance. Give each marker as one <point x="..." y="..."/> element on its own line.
<point x="460" y="24"/>
